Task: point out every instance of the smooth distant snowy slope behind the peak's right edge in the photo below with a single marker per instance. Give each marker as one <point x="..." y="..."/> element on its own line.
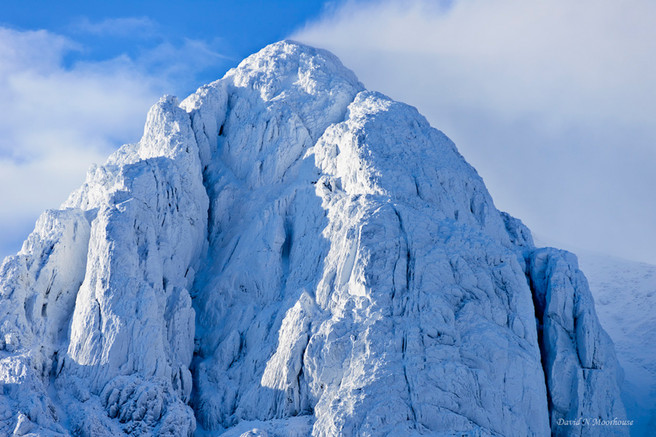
<point x="625" y="295"/>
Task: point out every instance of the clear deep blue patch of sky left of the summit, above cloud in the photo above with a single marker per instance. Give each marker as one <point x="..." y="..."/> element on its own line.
<point x="230" y="30"/>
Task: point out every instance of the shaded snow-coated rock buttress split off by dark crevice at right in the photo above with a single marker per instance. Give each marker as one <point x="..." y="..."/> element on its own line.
<point x="579" y="358"/>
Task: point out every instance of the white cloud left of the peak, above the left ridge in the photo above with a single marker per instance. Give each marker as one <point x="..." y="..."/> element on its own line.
<point x="58" y="118"/>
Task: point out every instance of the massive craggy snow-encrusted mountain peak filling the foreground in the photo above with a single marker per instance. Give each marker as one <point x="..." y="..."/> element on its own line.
<point x="286" y="253"/>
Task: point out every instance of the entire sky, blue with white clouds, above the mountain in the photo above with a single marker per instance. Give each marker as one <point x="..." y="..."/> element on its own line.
<point x="552" y="102"/>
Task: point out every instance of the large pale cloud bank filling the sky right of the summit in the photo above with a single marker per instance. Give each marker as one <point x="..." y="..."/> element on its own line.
<point x="553" y="102"/>
